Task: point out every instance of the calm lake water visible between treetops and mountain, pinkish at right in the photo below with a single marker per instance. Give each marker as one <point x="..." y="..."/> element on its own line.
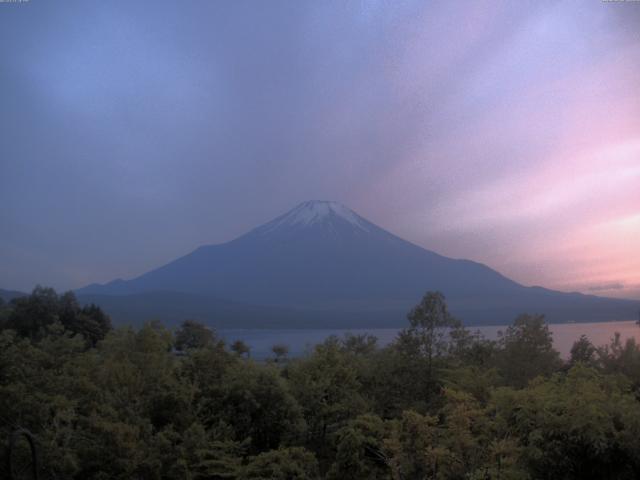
<point x="301" y="341"/>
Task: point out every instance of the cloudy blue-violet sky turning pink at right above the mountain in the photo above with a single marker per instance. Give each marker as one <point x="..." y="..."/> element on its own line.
<point x="132" y="132"/>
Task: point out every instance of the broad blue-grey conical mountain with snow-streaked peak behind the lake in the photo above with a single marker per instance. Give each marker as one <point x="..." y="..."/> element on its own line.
<point x="321" y="264"/>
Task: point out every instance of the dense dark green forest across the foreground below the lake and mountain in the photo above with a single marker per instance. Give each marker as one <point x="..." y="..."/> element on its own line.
<point x="440" y="402"/>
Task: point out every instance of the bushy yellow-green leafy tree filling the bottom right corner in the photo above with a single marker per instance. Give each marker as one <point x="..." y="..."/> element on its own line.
<point x="578" y="425"/>
